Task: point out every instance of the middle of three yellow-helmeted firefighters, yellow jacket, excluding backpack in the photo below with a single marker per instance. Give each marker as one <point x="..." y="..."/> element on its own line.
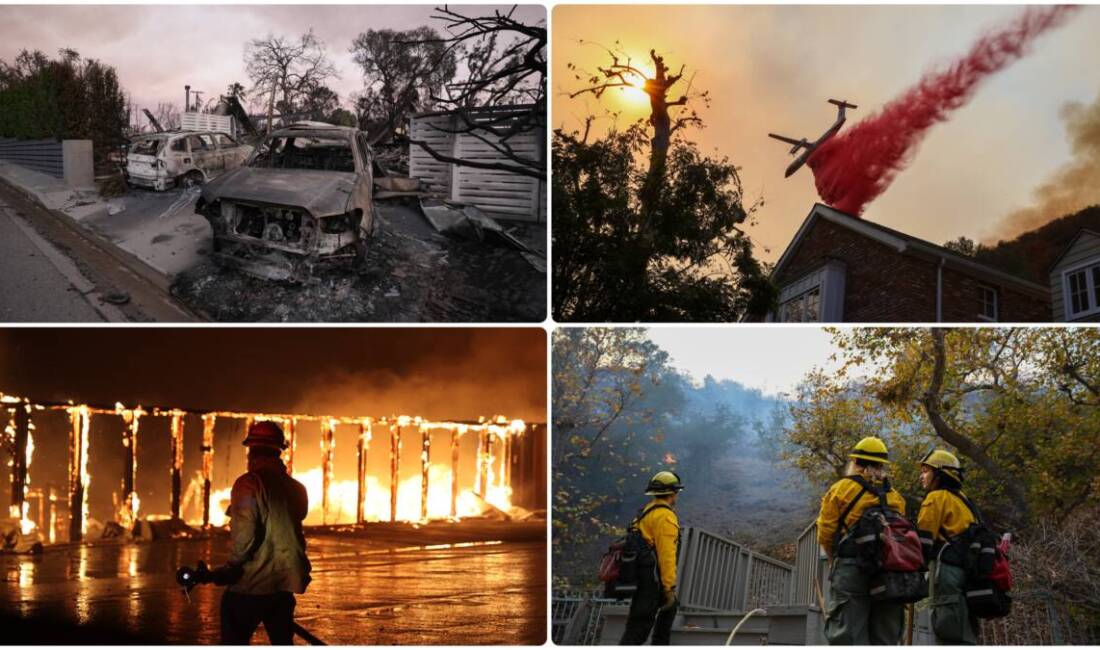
<point x="853" y="619"/>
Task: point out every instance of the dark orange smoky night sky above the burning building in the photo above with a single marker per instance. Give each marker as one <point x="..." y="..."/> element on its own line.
<point x="436" y="373"/>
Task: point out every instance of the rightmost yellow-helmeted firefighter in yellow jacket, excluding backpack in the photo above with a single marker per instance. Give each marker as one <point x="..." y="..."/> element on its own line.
<point x="944" y="516"/>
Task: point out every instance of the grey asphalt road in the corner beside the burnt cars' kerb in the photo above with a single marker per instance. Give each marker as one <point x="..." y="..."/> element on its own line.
<point x="32" y="285"/>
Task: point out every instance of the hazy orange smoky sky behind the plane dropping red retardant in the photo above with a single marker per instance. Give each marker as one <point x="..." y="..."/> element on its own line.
<point x="1015" y="148"/>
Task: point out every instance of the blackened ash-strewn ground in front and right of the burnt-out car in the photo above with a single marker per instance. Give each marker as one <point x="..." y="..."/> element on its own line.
<point x="413" y="274"/>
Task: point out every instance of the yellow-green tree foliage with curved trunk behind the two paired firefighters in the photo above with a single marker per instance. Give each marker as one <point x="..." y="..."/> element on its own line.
<point x="1021" y="407"/>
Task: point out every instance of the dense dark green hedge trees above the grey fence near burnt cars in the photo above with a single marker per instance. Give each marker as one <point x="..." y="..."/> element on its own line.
<point x="63" y="98"/>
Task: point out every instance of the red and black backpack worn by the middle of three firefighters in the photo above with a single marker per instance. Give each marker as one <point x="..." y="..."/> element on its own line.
<point x="888" y="548"/>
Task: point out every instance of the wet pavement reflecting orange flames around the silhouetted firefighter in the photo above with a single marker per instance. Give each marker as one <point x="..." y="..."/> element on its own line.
<point x="364" y="592"/>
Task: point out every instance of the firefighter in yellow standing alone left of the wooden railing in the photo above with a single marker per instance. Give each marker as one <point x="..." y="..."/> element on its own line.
<point x="654" y="607"/>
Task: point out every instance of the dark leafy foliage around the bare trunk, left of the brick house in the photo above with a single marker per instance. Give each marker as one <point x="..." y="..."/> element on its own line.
<point x="685" y="259"/>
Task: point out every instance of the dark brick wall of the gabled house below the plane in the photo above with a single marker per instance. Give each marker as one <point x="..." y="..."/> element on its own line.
<point x="884" y="285"/>
